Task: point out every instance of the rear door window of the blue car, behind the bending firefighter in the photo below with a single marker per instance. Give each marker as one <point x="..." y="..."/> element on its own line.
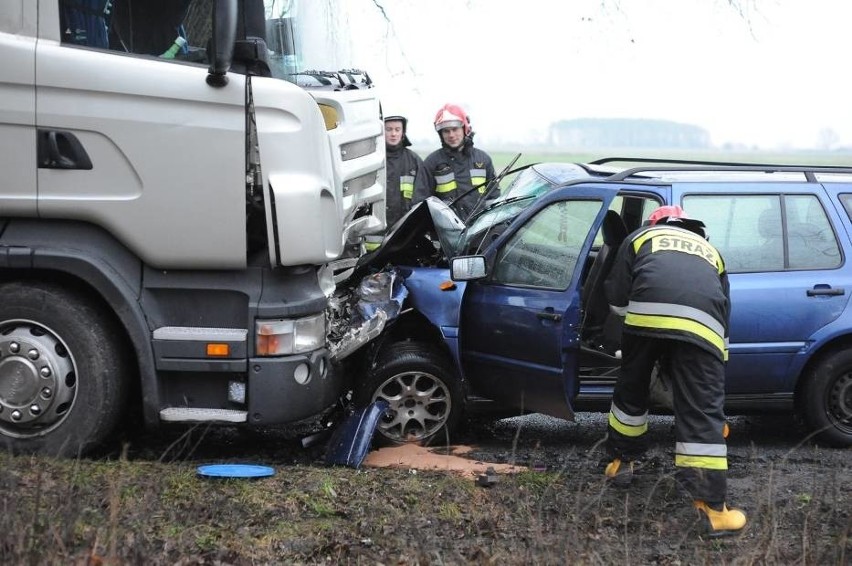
<point x="769" y="232"/>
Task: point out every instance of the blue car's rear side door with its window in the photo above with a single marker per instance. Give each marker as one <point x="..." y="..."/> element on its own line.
<point x="781" y="247"/>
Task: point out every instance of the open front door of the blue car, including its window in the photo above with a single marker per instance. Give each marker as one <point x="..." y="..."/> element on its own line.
<point x="519" y="327"/>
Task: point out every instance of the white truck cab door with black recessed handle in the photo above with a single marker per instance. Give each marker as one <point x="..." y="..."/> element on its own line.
<point x="137" y="143"/>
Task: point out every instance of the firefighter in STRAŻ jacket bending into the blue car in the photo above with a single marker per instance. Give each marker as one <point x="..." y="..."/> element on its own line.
<point x="671" y="286"/>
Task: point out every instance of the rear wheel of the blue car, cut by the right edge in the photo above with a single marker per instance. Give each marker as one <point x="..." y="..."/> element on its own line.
<point x="827" y="403"/>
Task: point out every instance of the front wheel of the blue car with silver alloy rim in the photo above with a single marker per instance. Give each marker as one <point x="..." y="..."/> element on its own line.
<point x="422" y="390"/>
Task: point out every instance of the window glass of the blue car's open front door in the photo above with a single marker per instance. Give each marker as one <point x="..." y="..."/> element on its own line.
<point x="544" y="252"/>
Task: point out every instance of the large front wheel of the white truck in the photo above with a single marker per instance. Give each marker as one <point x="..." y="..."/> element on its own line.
<point x="62" y="379"/>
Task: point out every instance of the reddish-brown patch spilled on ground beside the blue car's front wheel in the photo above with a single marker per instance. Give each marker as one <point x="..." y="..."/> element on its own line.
<point x="451" y="459"/>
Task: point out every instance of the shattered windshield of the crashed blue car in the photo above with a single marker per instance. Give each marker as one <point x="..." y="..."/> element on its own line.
<point x="529" y="184"/>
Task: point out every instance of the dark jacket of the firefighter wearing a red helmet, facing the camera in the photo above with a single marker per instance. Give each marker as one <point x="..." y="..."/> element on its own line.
<point x="448" y="173"/>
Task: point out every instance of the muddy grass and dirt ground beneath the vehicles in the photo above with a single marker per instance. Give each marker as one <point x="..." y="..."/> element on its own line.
<point x="546" y="501"/>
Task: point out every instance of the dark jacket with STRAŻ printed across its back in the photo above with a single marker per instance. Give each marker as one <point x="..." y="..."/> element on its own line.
<point x="669" y="282"/>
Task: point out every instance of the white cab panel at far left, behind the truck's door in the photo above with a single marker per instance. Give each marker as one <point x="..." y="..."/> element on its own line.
<point x="17" y="111"/>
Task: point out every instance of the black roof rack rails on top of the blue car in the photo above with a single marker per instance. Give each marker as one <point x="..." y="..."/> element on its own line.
<point x="809" y="171"/>
